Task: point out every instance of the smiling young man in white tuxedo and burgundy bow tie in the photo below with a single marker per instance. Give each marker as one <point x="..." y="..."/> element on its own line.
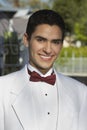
<point x="37" y="97"/>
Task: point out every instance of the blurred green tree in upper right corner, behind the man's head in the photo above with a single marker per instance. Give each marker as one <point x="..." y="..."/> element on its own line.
<point x="73" y="12"/>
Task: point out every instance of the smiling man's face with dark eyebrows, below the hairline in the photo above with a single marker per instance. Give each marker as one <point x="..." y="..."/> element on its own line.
<point x="44" y="46"/>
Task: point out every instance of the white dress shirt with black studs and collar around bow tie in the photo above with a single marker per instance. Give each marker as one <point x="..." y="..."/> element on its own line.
<point x="43" y="93"/>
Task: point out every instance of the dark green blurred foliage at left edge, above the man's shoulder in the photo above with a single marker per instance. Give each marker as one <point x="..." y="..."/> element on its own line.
<point x="11" y="50"/>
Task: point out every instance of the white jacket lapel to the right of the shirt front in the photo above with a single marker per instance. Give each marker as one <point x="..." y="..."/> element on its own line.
<point x="67" y="114"/>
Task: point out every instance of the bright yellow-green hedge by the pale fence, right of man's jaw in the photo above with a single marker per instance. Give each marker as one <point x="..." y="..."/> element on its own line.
<point x="71" y="52"/>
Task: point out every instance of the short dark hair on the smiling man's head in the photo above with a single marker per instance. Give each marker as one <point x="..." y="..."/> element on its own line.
<point x="45" y="16"/>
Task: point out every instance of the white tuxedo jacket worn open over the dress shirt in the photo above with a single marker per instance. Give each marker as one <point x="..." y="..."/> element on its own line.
<point x="16" y="108"/>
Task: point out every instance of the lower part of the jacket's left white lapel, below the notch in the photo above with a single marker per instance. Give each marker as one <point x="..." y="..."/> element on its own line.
<point x="23" y="107"/>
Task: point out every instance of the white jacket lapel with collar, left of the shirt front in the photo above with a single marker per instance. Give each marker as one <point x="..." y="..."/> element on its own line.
<point x="22" y="102"/>
